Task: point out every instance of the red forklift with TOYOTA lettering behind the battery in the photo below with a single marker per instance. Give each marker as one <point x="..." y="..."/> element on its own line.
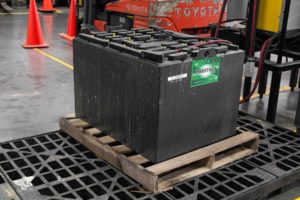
<point x="187" y="16"/>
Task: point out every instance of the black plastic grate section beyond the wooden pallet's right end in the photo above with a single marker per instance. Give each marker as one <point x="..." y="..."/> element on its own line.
<point x="279" y="149"/>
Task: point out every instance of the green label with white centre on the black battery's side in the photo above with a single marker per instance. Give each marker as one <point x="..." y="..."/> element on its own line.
<point x="205" y="71"/>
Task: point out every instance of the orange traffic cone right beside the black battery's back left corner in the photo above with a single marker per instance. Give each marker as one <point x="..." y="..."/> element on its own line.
<point x="71" y="29"/>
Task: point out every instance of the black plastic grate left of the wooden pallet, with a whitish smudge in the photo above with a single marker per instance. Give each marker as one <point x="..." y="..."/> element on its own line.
<point x="58" y="166"/>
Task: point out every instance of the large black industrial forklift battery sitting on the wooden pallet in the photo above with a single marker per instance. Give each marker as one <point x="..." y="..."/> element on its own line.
<point x="160" y="93"/>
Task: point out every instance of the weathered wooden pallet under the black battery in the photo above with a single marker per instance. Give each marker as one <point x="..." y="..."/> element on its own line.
<point x="160" y="176"/>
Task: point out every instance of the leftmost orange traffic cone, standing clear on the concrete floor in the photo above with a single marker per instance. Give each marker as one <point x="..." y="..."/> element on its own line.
<point x="34" y="31"/>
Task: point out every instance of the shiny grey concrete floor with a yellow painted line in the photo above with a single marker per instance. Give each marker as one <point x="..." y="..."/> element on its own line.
<point x="36" y="87"/>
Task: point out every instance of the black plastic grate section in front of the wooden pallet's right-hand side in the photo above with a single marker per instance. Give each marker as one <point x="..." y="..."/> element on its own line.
<point x="223" y="183"/>
